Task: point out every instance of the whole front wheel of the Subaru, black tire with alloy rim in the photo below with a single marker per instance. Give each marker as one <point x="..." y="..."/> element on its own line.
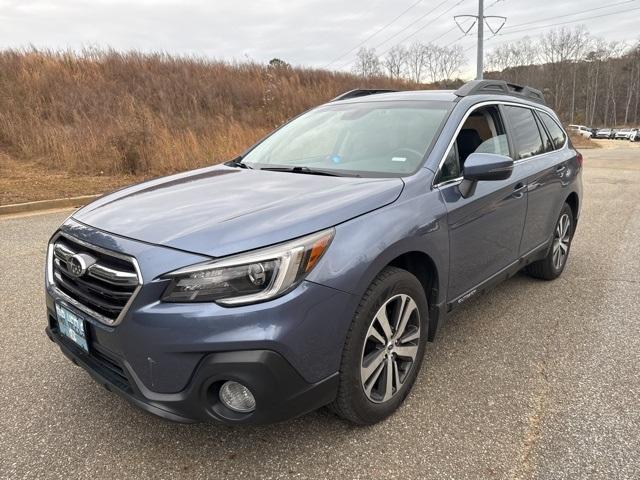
<point x="366" y="359"/>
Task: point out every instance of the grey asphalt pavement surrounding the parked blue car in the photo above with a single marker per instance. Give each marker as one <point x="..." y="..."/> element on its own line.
<point x="532" y="380"/>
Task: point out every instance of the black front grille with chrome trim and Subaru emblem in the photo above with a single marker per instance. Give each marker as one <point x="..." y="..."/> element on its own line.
<point x="104" y="289"/>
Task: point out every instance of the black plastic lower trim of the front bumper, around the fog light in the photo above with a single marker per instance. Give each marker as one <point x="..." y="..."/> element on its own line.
<point x="280" y="392"/>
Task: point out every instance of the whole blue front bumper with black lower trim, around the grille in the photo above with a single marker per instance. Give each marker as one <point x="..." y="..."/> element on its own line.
<point x="169" y="358"/>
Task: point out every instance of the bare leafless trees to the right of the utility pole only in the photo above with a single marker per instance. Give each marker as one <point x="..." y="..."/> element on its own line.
<point x="586" y="79"/>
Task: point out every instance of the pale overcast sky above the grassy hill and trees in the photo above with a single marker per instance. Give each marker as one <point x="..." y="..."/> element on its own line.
<point x="302" y="32"/>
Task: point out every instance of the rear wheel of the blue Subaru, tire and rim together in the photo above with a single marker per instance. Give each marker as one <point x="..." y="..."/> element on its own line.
<point x="553" y="264"/>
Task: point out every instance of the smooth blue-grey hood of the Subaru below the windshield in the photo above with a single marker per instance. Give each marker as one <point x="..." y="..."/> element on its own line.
<point x="222" y="210"/>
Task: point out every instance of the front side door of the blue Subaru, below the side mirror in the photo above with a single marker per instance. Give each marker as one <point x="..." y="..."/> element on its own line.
<point x="485" y="229"/>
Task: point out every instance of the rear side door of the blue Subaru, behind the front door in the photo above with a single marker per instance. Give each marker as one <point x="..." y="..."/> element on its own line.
<point x="546" y="178"/>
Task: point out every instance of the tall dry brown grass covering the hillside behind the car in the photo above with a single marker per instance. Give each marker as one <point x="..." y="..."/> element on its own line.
<point x="109" y="113"/>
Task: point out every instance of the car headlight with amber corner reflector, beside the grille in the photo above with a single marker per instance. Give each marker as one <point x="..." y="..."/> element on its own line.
<point x="249" y="277"/>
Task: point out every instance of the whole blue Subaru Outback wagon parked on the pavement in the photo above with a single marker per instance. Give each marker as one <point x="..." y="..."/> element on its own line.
<point x="313" y="269"/>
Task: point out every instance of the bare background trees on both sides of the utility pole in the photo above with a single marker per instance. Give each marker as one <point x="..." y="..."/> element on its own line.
<point x="585" y="79"/>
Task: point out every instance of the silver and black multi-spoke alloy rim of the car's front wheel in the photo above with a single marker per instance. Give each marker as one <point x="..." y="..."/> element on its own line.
<point x="390" y="348"/>
